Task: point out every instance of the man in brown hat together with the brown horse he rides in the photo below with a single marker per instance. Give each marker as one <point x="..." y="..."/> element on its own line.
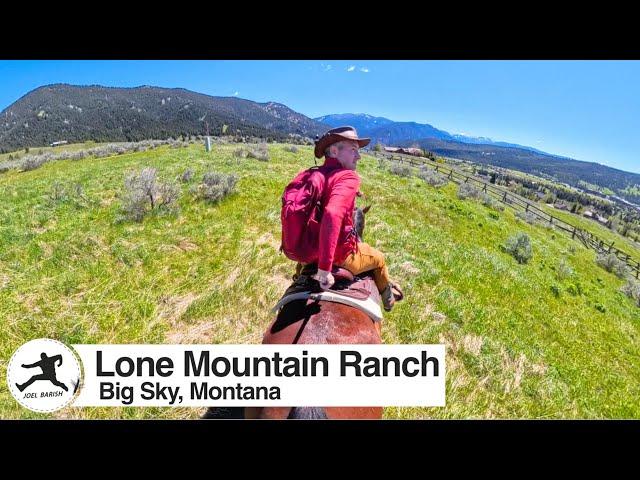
<point x="326" y="320"/>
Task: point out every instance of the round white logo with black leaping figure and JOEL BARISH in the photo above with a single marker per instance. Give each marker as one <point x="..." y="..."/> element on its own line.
<point x="43" y="375"/>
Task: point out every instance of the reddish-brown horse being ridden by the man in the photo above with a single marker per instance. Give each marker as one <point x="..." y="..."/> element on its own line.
<point x="315" y="322"/>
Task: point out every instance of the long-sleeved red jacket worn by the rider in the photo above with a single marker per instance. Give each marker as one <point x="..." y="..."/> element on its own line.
<point x="337" y="237"/>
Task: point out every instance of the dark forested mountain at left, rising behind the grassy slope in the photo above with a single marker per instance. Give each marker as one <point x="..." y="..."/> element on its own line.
<point x="79" y="113"/>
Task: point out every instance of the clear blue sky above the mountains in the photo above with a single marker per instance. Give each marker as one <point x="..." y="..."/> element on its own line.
<point x="588" y="110"/>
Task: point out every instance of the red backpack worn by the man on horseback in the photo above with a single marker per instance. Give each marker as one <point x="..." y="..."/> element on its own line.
<point x="301" y="215"/>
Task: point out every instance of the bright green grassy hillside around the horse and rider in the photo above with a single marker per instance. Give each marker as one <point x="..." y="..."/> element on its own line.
<point x="522" y="341"/>
